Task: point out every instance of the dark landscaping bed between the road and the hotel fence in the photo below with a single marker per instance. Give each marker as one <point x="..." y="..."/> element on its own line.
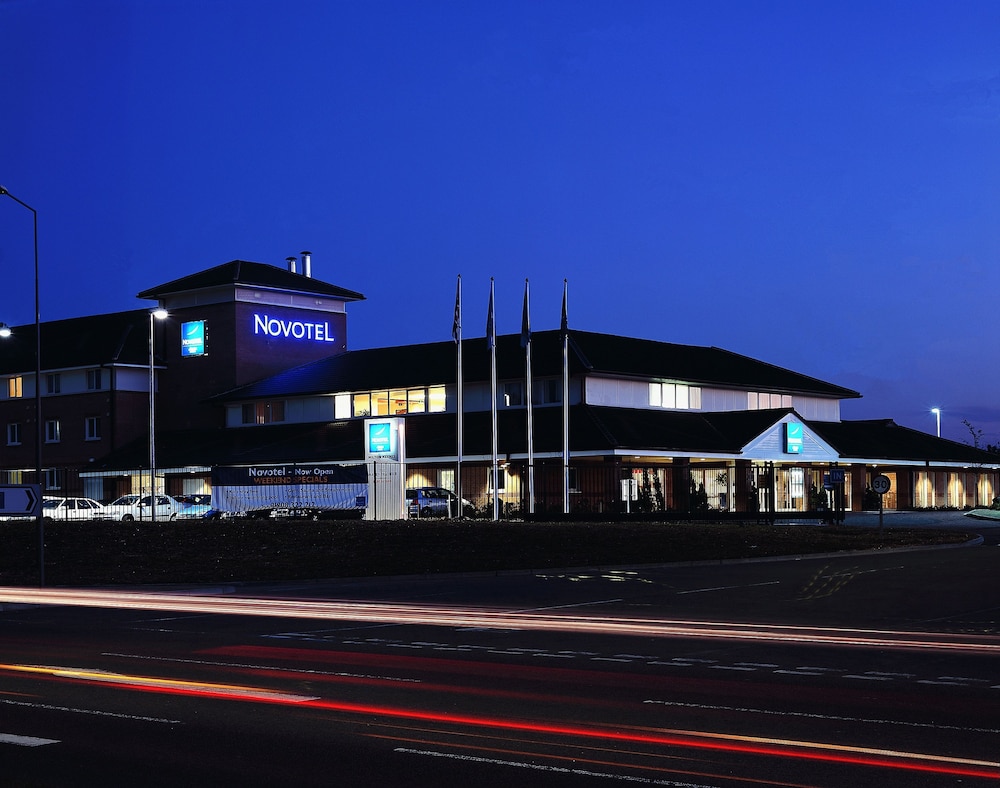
<point x="108" y="553"/>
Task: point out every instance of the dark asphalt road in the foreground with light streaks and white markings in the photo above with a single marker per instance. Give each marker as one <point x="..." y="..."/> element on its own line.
<point x="851" y="670"/>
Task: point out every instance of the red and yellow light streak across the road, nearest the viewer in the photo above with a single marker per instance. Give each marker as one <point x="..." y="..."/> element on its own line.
<point x="658" y="737"/>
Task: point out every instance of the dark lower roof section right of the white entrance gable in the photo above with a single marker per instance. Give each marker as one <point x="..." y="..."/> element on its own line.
<point x="876" y="439"/>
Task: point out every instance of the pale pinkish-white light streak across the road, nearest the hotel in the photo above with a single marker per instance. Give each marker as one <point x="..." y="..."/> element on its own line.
<point x="458" y="616"/>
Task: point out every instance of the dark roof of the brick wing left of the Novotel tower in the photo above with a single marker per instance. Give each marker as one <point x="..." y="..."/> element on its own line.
<point x="116" y="338"/>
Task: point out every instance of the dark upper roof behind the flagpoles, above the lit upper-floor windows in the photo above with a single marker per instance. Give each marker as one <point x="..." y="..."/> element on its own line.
<point x="435" y="363"/>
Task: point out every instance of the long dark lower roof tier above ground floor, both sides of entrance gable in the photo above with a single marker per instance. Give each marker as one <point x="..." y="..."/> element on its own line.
<point x="592" y="429"/>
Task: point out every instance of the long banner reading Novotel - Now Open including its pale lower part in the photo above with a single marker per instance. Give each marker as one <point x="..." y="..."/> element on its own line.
<point x="315" y="486"/>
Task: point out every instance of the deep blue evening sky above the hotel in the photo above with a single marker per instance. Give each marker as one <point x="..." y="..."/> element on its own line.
<point x="814" y="184"/>
